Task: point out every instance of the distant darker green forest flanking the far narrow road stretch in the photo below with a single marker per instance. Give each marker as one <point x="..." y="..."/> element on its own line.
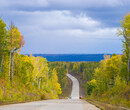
<point x="83" y="71"/>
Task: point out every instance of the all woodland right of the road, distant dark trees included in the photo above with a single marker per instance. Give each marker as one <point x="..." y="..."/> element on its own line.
<point x="107" y="80"/>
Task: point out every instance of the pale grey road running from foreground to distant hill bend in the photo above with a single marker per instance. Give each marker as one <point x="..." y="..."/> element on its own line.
<point x="60" y="104"/>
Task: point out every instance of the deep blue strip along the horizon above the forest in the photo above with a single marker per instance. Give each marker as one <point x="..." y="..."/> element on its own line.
<point x="72" y="57"/>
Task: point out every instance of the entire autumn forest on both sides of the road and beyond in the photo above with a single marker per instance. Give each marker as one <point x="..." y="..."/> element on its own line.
<point x="28" y="78"/>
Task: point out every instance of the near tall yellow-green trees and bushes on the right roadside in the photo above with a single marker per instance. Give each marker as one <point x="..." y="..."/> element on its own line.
<point x="111" y="79"/>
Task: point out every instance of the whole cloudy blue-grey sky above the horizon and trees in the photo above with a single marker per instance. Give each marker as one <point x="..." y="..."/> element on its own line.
<point x="67" y="26"/>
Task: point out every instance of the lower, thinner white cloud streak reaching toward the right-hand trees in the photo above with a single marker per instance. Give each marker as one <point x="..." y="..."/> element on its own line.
<point x="100" y="33"/>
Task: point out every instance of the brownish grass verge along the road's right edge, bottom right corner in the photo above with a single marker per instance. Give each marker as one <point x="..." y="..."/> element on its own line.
<point x="105" y="106"/>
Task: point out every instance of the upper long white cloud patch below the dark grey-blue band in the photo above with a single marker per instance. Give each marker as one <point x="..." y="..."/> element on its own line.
<point x="58" y="20"/>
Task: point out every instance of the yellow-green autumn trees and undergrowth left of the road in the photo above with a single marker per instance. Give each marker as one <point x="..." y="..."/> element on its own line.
<point x="23" y="77"/>
